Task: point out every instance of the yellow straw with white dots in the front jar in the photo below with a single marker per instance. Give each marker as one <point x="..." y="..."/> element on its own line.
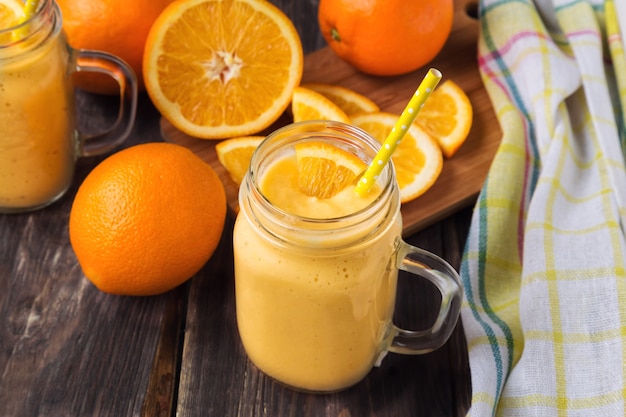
<point x="403" y="124"/>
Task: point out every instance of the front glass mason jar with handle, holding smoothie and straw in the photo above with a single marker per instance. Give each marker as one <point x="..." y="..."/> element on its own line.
<point x="315" y="297"/>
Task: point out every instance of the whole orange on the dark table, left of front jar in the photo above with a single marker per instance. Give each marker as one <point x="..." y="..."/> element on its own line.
<point x="146" y="219"/>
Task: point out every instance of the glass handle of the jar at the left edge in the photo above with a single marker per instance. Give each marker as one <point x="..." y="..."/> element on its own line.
<point x="122" y="73"/>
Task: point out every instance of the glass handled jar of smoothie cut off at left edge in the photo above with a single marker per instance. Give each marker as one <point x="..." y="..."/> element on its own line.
<point x="39" y="142"/>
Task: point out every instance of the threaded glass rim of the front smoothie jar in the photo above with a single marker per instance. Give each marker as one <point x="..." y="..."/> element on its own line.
<point x="275" y="220"/>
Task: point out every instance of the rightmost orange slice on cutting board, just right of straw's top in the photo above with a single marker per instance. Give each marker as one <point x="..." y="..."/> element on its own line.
<point x="447" y="116"/>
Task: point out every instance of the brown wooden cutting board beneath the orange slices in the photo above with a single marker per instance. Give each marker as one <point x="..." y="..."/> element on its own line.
<point x="462" y="176"/>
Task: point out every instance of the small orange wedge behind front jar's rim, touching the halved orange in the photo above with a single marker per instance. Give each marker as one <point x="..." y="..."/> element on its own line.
<point x="309" y="105"/>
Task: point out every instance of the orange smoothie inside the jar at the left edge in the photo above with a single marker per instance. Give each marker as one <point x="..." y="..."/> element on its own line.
<point x="37" y="144"/>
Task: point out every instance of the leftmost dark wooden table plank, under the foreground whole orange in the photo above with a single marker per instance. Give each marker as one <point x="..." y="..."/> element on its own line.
<point x="67" y="349"/>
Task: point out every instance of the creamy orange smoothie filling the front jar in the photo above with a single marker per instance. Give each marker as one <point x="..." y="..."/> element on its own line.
<point x="314" y="319"/>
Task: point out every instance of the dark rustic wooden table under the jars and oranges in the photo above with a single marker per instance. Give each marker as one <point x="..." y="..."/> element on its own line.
<point x="67" y="349"/>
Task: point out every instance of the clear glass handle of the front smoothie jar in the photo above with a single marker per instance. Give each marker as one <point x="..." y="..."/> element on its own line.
<point x="424" y="264"/>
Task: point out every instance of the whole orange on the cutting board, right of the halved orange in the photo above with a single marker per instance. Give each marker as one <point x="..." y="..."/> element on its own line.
<point x="386" y="37"/>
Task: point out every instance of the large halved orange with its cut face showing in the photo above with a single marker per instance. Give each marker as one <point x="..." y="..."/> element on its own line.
<point x="217" y="69"/>
